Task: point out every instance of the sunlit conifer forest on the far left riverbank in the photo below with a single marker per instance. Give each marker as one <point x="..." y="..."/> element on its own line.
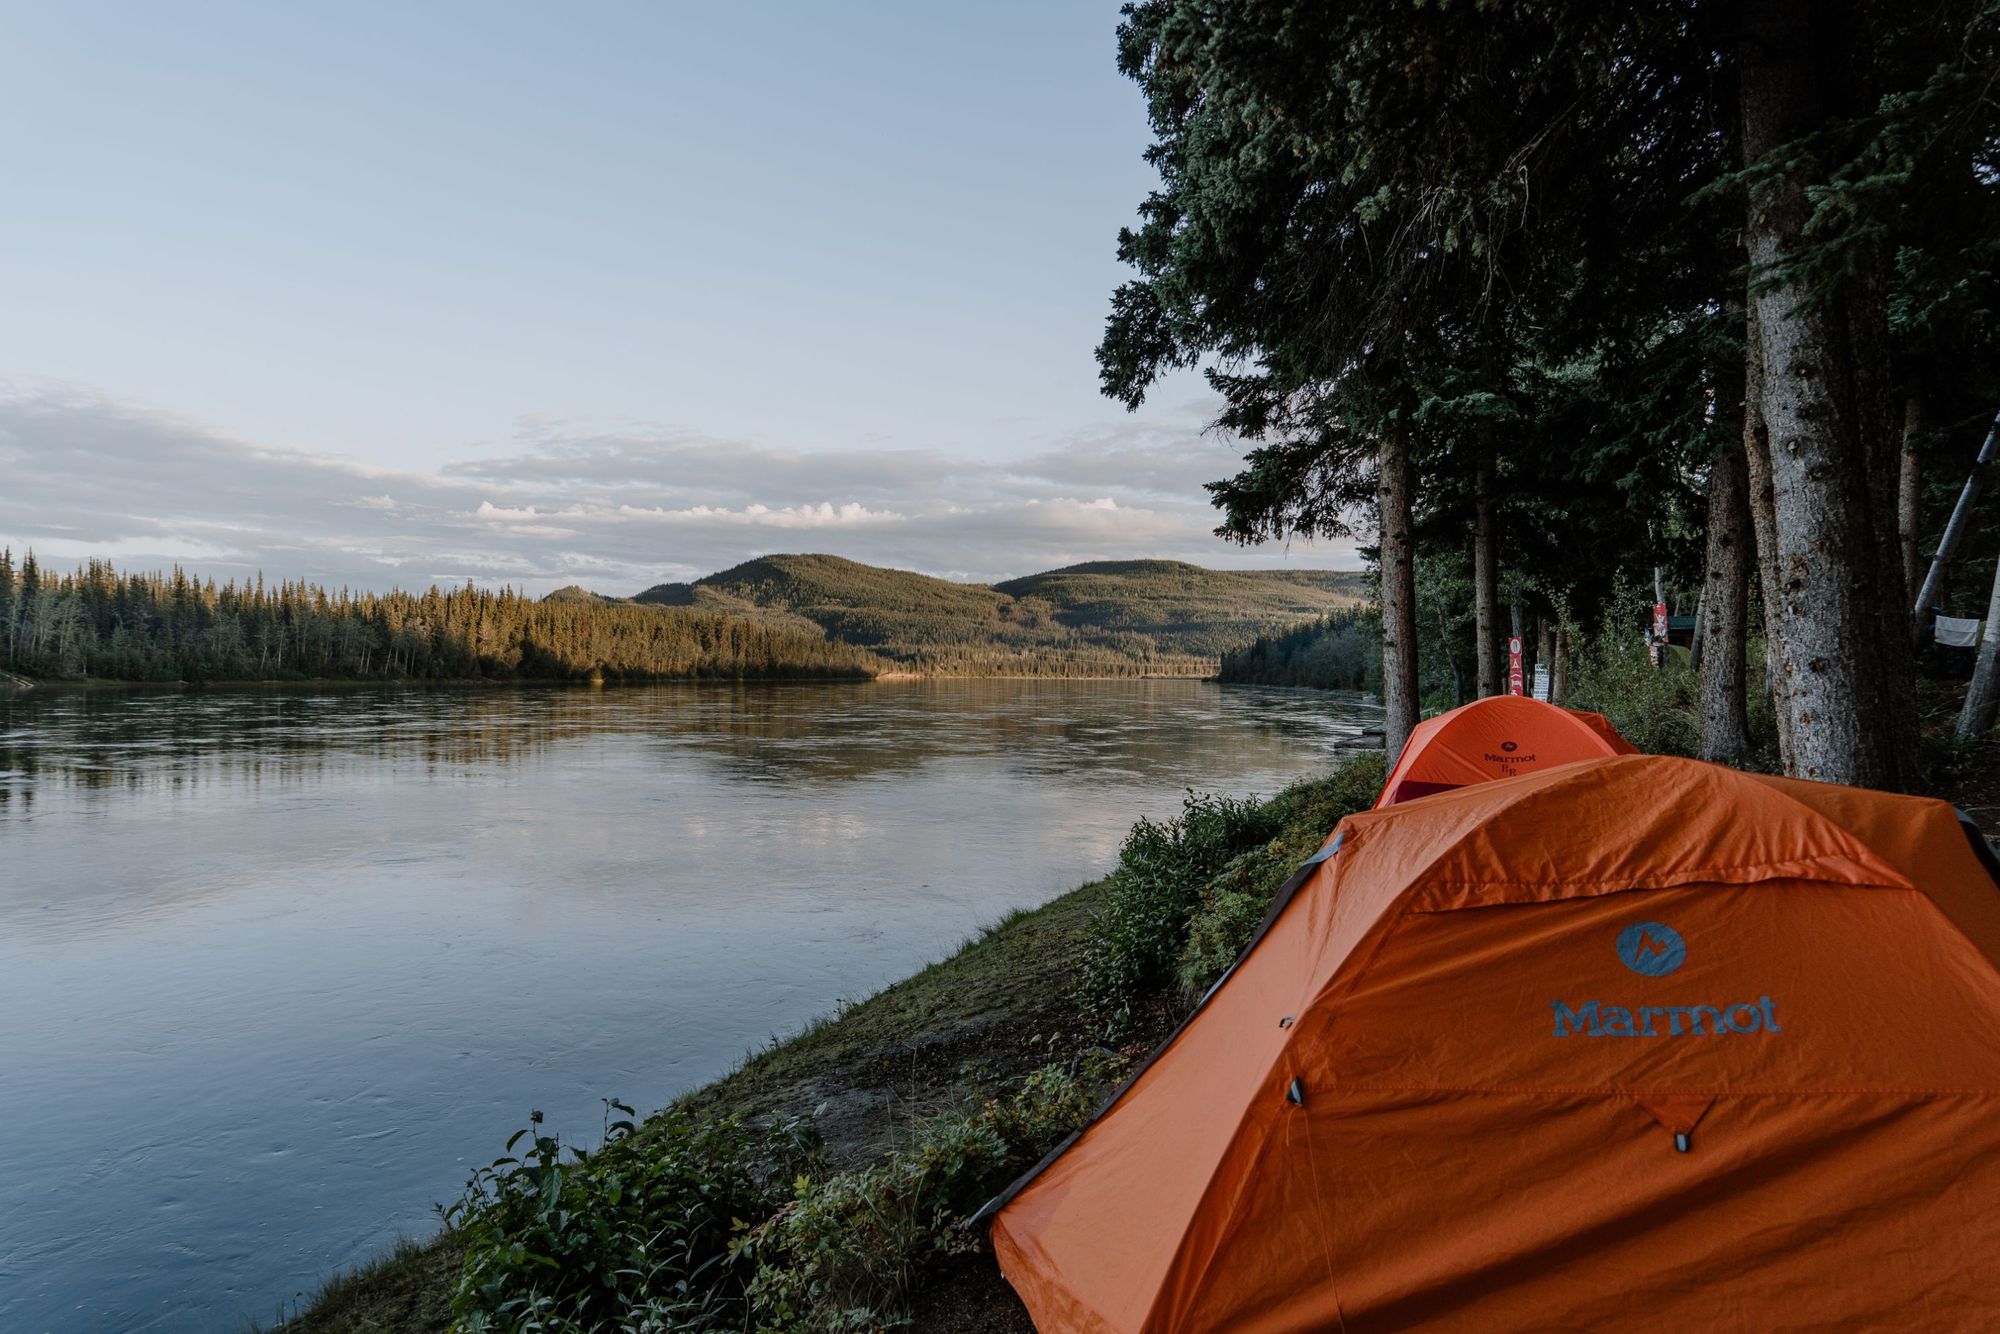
<point x="173" y="627"/>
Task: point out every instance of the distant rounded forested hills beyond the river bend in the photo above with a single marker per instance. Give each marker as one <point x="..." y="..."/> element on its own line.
<point x="1107" y="617"/>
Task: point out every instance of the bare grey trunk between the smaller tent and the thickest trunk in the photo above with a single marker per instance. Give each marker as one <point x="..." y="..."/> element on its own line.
<point x="1727" y="611"/>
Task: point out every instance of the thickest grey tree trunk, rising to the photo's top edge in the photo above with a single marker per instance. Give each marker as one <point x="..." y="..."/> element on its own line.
<point x="1835" y="669"/>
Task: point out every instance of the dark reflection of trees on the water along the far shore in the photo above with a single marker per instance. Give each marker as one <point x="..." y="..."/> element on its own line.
<point x="749" y="733"/>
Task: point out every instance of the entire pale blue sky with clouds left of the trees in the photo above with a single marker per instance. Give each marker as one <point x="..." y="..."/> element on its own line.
<point x="389" y="295"/>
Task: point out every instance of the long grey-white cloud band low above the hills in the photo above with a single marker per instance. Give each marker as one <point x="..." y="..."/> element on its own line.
<point x="615" y="507"/>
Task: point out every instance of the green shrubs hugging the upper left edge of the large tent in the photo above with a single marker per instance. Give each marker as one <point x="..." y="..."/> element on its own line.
<point x="1233" y="905"/>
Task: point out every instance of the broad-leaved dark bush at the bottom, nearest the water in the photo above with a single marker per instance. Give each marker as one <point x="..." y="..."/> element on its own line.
<point x="631" y="1237"/>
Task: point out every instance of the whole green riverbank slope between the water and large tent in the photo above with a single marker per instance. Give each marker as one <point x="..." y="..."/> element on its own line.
<point x="849" y="1153"/>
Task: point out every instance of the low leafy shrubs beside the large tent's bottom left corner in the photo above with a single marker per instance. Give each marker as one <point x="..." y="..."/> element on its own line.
<point x="849" y="1249"/>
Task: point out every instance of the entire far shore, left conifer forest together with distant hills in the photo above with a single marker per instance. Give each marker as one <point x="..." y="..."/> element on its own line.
<point x="771" y="619"/>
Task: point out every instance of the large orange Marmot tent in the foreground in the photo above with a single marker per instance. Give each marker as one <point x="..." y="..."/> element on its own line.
<point x="1633" y="1045"/>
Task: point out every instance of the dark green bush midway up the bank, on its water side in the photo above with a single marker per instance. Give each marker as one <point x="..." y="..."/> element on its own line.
<point x="1161" y="871"/>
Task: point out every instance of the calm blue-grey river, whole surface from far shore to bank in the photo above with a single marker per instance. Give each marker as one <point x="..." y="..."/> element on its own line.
<point x="277" y="967"/>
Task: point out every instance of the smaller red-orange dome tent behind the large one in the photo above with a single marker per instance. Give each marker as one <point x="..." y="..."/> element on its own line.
<point x="1499" y="737"/>
